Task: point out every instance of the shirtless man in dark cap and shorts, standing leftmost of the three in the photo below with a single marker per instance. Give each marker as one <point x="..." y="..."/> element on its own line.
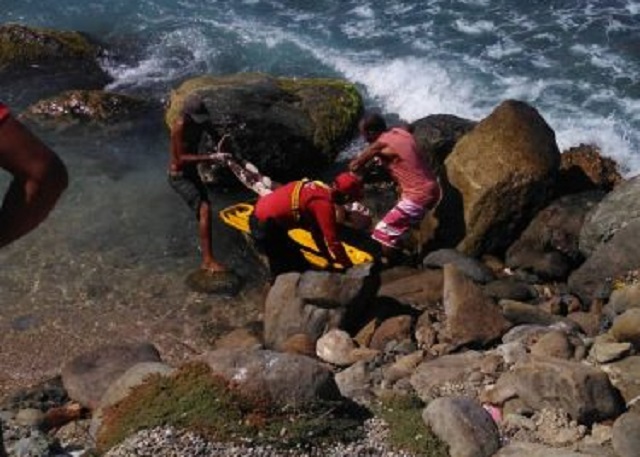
<point x="187" y="133"/>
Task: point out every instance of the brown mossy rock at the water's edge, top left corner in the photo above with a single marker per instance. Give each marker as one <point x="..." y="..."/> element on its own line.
<point x="22" y="45"/>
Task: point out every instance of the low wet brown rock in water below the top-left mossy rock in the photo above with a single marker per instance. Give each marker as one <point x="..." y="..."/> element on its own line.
<point x="86" y="106"/>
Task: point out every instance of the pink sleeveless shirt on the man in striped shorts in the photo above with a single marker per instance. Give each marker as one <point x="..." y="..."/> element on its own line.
<point x="416" y="180"/>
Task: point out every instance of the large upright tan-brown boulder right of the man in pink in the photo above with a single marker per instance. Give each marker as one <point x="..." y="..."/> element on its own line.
<point x="499" y="175"/>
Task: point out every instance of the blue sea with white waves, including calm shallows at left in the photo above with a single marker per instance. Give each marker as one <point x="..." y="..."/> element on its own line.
<point x="120" y="239"/>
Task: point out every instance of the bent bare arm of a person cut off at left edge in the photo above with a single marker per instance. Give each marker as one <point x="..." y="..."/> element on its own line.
<point x="39" y="178"/>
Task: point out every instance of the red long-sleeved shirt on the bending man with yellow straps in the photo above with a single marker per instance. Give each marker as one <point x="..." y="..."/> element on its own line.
<point x="317" y="214"/>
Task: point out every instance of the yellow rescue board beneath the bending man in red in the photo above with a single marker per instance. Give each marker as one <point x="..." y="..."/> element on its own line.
<point x="237" y="216"/>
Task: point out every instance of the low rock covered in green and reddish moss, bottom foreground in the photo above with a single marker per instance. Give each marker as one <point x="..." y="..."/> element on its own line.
<point x="194" y="399"/>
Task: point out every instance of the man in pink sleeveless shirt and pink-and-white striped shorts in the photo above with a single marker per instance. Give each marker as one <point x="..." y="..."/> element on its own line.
<point x="397" y="150"/>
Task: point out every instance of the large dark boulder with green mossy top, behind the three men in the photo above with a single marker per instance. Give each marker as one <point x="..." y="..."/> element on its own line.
<point x="288" y="127"/>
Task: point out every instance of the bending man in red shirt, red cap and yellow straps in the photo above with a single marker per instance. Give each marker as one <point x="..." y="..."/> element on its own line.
<point x="303" y="204"/>
